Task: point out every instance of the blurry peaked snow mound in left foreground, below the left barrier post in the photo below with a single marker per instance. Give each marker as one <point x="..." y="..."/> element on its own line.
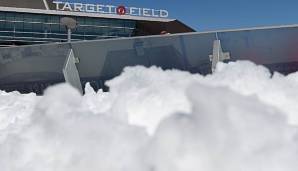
<point x="63" y="135"/>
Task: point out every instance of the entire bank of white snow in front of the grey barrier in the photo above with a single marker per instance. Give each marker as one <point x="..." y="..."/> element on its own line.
<point x="239" y="118"/>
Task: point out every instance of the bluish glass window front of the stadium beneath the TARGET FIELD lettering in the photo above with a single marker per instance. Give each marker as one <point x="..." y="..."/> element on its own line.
<point x="37" y="27"/>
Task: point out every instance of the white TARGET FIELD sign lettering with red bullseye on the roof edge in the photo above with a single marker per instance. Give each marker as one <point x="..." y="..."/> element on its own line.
<point x="110" y="9"/>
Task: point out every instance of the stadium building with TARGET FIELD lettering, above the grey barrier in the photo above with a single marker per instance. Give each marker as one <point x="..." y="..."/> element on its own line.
<point x="25" y="22"/>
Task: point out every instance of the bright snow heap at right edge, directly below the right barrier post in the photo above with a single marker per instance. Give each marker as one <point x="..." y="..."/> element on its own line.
<point x="248" y="79"/>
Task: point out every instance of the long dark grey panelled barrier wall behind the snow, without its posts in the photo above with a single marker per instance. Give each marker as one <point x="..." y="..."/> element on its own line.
<point x="104" y="59"/>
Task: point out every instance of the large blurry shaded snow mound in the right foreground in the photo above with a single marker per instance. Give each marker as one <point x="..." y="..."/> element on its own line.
<point x="224" y="134"/>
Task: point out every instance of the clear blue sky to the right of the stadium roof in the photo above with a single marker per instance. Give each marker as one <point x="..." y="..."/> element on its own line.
<point x="220" y="14"/>
